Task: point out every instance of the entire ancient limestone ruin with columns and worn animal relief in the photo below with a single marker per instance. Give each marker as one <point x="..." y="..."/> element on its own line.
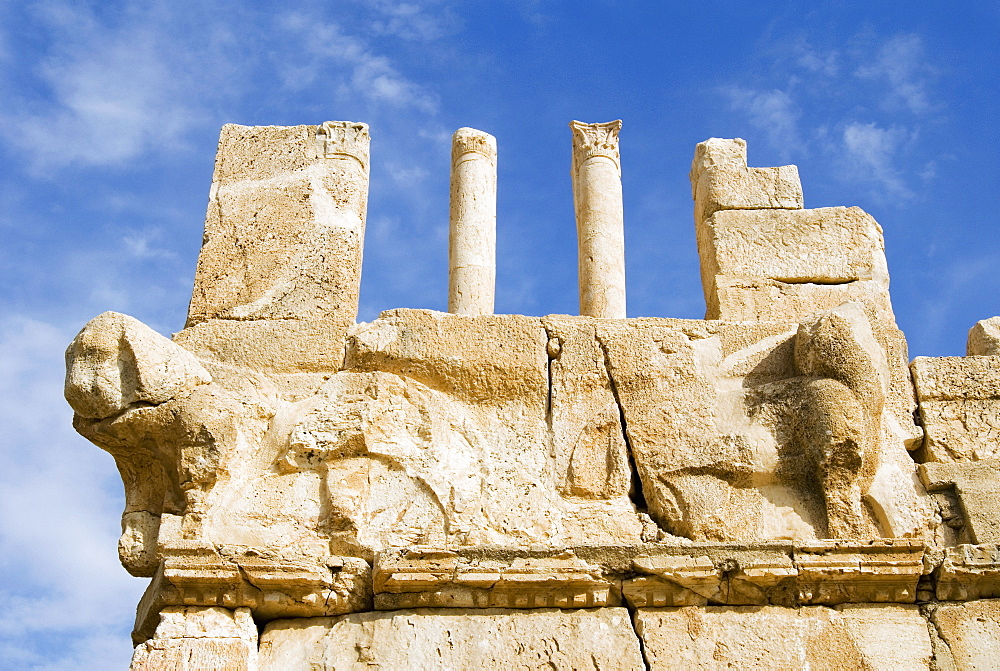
<point x="775" y="486"/>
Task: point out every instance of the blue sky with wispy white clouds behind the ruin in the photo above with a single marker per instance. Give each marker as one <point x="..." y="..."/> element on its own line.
<point x="109" y="118"/>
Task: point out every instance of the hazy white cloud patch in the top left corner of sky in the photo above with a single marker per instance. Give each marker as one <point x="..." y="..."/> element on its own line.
<point x="106" y="93"/>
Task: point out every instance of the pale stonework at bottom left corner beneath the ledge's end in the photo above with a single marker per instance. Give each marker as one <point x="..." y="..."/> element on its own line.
<point x="200" y="638"/>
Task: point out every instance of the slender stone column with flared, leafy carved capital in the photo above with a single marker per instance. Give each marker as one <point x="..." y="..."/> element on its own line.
<point x="600" y="224"/>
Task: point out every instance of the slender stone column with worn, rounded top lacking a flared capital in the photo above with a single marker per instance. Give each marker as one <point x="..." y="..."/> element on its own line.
<point x="472" y="243"/>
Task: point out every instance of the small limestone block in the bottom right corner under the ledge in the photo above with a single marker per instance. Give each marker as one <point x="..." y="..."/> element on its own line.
<point x="971" y="631"/>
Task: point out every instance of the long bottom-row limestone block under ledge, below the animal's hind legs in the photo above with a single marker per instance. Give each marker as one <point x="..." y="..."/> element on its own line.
<point x="885" y="636"/>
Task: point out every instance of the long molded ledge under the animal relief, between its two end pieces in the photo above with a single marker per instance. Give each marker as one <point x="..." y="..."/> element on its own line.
<point x="823" y="572"/>
